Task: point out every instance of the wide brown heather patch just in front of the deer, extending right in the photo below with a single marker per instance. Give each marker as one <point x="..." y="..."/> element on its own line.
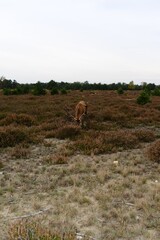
<point x="105" y="142"/>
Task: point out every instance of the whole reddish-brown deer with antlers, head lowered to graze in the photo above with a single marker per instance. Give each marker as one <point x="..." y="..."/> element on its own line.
<point x="80" y="114"/>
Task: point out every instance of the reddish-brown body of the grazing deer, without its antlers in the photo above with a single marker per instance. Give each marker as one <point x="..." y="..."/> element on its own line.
<point x="80" y="112"/>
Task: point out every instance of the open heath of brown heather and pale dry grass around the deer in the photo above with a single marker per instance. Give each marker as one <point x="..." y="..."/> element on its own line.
<point x="103" y="181"/>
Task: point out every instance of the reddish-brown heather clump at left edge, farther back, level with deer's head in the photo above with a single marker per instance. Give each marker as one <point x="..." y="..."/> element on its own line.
<point x="20" y="119"/>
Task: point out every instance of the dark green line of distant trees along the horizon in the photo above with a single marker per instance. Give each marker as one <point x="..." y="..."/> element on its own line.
<point x="13" y="87"/>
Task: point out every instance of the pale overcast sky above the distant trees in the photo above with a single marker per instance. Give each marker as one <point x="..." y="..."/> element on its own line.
<point x="80" y="40"/>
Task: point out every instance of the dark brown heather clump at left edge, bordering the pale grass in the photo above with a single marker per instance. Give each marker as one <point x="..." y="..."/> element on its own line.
<point x="11" y="136"/>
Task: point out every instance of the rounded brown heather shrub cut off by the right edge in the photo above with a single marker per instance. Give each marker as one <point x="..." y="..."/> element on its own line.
<point x="153" y="151"/>
